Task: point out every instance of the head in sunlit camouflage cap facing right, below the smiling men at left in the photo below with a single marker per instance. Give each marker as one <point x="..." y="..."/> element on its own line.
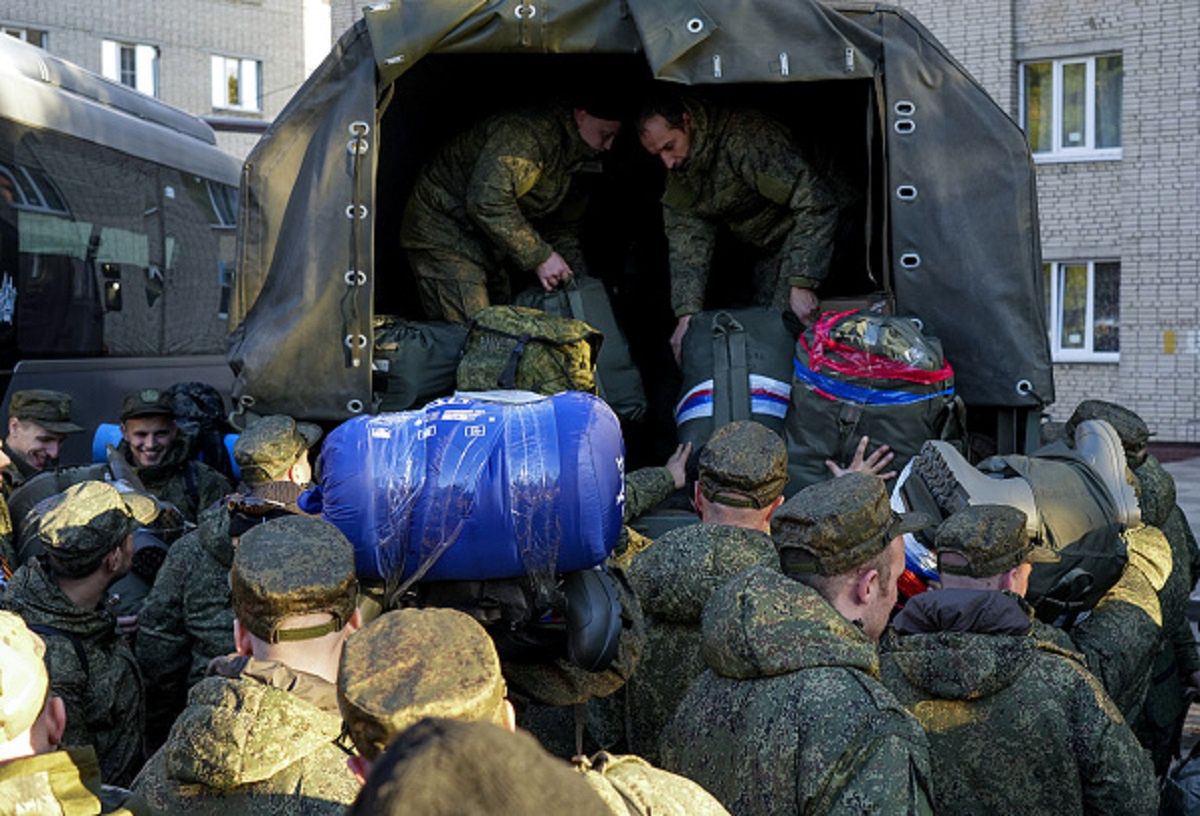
<point x="88" y="530"/>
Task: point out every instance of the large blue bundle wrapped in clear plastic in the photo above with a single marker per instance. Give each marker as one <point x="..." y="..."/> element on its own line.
<point x="477" y="487"/>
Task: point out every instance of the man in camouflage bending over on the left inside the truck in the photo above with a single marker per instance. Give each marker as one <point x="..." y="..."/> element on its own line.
<point x="500" y="195"/>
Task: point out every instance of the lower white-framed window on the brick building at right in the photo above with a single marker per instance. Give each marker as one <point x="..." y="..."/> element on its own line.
<point x="1084" y="298"/>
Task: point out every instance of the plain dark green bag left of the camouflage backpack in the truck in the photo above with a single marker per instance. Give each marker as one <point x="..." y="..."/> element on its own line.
<point x="417" y="362"/>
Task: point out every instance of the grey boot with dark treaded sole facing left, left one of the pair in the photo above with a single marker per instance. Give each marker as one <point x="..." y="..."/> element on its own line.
<point x="956" y="484"/>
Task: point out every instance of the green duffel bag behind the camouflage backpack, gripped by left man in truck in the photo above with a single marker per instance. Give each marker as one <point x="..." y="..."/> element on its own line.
<point x="619" y="381"/>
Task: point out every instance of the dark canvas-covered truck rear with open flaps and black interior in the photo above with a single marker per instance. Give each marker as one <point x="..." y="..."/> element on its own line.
<point x="946" y="230"/>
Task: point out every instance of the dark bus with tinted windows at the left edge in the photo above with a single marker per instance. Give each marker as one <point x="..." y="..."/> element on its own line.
<point x="118" y="232"/>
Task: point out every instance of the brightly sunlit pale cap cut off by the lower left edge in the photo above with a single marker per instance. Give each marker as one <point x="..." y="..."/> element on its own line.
<point x="23" y="679"/>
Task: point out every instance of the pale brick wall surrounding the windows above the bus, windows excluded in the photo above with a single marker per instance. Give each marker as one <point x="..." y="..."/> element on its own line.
<point x="188" y="33"/>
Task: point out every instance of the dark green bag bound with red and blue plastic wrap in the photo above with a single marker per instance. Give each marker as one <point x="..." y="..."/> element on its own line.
<point x="861" y="374"/>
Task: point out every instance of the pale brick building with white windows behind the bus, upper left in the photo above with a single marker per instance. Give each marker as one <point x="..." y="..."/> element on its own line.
<point x="239" y="61"/>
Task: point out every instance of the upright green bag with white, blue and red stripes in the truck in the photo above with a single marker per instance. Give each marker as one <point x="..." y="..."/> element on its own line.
<point x="737" y="364"/>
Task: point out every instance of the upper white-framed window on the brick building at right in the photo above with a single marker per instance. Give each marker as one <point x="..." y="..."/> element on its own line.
<point x="1071" y="109"/>
